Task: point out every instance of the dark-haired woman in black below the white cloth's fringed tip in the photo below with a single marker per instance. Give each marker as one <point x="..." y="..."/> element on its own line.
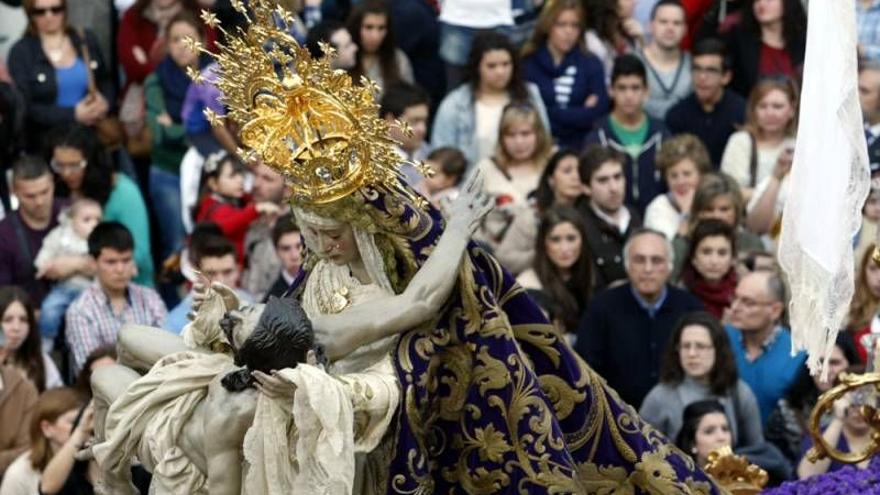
<point x="787" y="425"/>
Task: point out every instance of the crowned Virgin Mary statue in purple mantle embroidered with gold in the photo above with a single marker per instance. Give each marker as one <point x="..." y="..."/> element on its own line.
<point x="490" y="397"/>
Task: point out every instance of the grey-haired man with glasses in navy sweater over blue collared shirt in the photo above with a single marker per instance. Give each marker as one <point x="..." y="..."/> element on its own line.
<point x="625" y="330"/>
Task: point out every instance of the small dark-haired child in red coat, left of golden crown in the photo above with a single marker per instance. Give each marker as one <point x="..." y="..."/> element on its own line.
<point x="224" y="201"/>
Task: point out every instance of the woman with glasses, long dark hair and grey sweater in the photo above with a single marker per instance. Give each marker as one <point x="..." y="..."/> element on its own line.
<point x="698" y="364"/>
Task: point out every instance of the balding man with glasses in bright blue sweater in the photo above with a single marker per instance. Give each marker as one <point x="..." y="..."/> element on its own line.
<point x="761" y="345"/>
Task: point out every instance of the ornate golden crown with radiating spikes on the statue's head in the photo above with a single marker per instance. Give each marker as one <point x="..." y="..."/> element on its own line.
<point x="298" y="115"/>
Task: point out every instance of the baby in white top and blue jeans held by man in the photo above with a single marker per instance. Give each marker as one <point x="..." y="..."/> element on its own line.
<point x="70" y="237"/>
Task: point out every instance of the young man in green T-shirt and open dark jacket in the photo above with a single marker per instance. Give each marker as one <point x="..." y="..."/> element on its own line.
<point x="630" y="130"/>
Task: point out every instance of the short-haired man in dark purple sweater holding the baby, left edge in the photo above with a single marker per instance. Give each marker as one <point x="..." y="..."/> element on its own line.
<point x="22" y="231"/>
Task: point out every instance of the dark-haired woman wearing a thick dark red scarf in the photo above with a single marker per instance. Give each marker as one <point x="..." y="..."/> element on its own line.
<point x="709" y="269"/>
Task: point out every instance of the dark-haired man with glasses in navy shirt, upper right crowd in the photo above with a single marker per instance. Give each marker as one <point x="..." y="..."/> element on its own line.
<point x="711" y="112"/>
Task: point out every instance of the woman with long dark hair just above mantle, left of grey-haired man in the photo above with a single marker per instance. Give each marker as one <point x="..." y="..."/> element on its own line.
<point x="562" y="267"/>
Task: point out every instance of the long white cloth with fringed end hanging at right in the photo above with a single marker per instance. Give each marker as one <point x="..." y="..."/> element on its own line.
<point x="829" y="182"/>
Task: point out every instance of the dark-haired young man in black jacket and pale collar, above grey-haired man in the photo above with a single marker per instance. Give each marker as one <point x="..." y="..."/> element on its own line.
<point x="607" y="221"/>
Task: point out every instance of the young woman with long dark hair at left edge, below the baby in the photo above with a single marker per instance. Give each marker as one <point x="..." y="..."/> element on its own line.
<point x="22" y="346"/>
